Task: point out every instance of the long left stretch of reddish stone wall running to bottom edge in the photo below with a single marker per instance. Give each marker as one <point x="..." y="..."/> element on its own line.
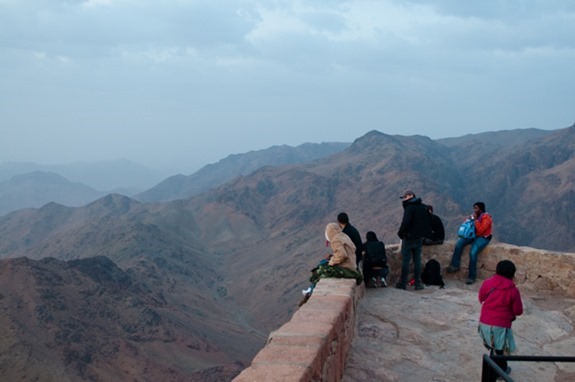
<point x="313" y="345"/>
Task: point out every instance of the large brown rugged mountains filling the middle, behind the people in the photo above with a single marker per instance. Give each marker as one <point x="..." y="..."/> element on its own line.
<point x="214" y="273"/>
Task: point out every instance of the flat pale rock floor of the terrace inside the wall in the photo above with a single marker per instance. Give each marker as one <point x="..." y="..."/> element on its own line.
<point x="431" y="335"/>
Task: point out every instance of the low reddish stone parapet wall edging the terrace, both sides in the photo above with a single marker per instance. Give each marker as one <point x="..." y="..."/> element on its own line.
<point x="314" y="344"/>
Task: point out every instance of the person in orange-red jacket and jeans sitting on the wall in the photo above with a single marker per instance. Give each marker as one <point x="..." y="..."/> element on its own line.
<point x="483" y="228"/>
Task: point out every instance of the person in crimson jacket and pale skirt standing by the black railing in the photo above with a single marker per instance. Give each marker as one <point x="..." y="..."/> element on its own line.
<point x="500" y="305"/>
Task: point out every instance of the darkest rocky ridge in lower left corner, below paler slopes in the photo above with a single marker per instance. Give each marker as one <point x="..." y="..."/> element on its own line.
<point x="89" y="320"/>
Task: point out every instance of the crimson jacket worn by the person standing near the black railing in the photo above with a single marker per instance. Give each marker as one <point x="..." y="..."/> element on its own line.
<point x="501" y="302"/>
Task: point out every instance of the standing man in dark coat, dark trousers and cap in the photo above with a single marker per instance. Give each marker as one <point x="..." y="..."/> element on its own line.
<point x="415" y="225"/>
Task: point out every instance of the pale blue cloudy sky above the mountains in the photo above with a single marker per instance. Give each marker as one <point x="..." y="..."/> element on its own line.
<point x="181" y="83"/>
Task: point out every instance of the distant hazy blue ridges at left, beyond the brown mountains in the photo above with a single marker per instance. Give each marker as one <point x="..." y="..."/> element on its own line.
<point x="30" y="185"/>
